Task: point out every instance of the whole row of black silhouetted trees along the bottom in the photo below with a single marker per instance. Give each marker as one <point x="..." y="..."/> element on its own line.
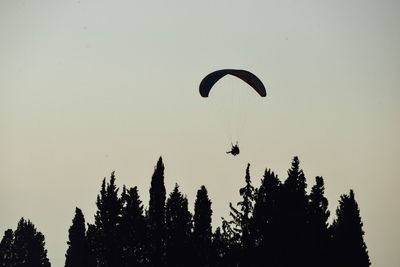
<point x="277" y="224"/>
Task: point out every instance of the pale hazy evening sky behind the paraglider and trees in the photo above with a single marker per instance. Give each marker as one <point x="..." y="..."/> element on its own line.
<point x="88" y="87"/>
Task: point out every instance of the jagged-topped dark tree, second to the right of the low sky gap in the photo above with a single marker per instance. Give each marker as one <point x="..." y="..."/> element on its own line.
<point x="108" y="250"/>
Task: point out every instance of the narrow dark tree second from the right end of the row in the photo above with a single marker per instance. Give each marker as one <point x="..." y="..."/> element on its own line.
<point x="318" y="215"/>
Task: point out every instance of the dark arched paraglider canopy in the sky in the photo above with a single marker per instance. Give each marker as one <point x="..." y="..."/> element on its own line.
<point x="208" y="82"/>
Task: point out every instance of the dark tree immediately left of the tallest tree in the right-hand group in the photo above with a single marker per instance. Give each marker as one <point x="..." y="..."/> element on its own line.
<point x="267" y="221"/>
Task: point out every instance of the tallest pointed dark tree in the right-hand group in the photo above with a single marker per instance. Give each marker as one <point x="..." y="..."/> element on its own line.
<point x="295" y="228"/>
